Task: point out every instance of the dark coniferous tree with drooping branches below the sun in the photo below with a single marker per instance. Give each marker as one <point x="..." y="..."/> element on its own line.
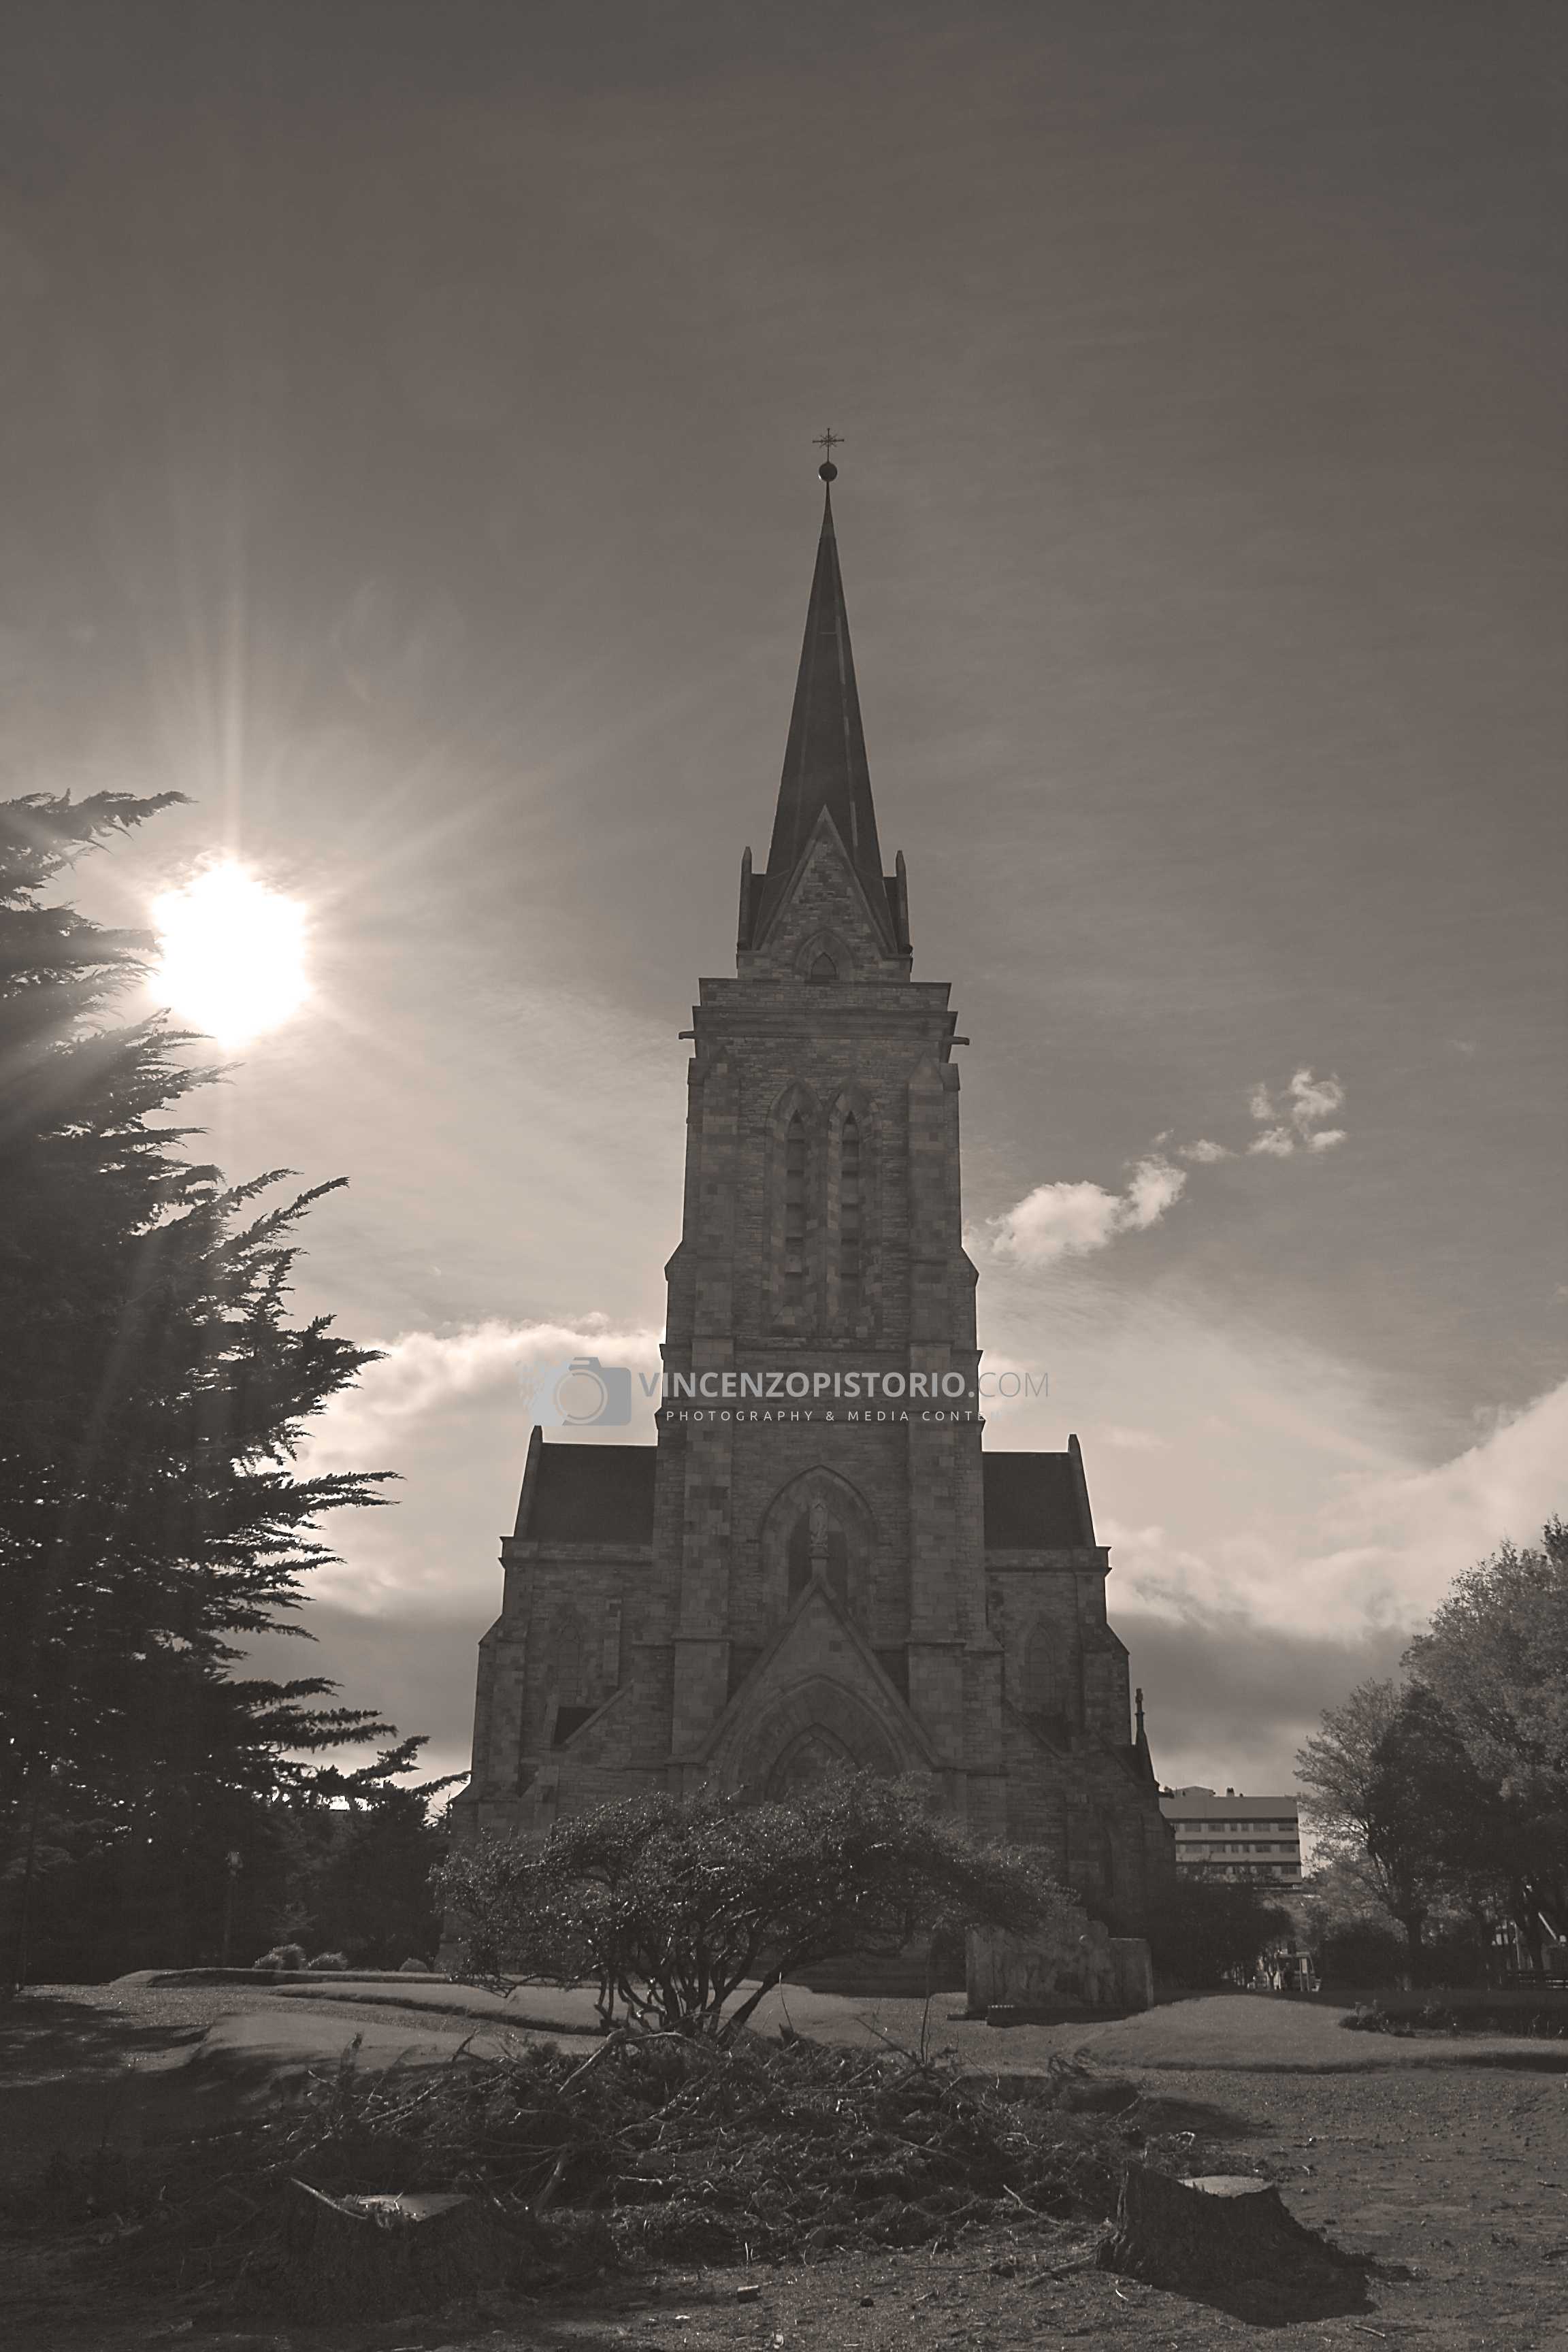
<point x="154" y="1394"/>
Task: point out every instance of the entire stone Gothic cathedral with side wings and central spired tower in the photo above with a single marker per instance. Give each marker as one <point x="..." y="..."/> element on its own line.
<point x="817" y="1561"/>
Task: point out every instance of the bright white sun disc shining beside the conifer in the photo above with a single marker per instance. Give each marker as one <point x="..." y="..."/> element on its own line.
<point x="234" y="954"/>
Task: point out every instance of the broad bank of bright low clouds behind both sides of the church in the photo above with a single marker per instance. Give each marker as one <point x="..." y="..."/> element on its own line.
<point x="1275" y="1530"/>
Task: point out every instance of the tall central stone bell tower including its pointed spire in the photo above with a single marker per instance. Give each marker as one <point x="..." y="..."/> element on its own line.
<point x="822" y="1295"/>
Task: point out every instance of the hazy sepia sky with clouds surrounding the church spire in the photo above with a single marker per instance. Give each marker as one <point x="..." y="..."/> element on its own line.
<point x="408" y="455"/>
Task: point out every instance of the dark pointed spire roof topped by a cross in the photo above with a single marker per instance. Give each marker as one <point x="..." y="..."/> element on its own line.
<point x="826" y="751"/>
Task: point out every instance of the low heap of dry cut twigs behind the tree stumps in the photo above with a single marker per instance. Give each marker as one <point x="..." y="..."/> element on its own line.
<point x="655" y="2149"/>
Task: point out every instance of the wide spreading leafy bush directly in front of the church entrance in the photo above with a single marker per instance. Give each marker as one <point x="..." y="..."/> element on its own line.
<point x="676" y="1904"/>
